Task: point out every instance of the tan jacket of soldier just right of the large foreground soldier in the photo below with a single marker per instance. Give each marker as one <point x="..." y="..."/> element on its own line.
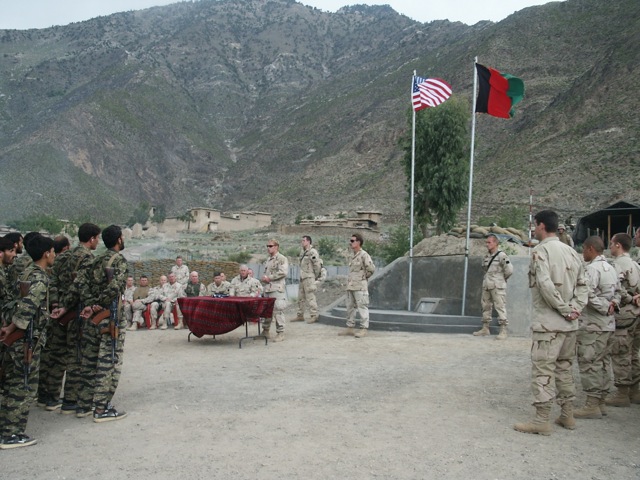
<point x="602" y="281"/>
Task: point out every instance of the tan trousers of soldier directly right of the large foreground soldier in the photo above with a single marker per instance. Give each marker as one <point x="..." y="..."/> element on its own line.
<point x="593" y="348"/>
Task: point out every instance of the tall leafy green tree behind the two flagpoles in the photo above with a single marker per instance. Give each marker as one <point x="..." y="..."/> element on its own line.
<point x="441" y="164"/>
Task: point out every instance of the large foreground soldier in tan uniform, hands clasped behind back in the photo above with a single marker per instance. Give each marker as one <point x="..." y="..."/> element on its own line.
<point x="559" y="293"/>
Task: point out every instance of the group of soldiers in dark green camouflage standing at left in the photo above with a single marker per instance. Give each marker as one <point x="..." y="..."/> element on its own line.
<point x="80" y="342"/>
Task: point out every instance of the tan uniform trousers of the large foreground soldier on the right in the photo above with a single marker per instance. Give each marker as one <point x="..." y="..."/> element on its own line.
<point x="552" y="355"/>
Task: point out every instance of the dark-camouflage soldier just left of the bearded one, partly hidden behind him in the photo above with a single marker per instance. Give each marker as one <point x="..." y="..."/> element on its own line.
<point x="61" y="352"/>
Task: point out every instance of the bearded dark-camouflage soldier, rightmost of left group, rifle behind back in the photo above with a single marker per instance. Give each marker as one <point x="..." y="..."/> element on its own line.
<point x="101" y="372"/>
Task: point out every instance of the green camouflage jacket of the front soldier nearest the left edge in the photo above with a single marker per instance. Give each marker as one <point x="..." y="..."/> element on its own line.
<point x="35" y="305"/>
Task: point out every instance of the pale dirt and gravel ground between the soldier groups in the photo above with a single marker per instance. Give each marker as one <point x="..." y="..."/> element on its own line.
<point x="392" y="405"/>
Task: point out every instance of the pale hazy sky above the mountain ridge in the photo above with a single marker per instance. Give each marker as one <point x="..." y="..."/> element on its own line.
<point x="23" y="14"/>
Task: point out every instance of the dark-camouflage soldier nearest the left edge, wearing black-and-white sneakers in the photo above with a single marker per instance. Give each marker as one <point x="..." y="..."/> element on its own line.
<point x="21" y="384"/>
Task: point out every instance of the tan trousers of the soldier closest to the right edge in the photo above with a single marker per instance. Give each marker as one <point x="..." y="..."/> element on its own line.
<point x="626" y="368"/>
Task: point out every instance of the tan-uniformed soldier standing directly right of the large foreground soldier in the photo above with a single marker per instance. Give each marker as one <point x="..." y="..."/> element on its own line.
<point x="597" y="324"/>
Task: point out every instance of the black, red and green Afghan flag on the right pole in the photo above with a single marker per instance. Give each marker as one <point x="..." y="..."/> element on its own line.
<point x="498" y="92"/>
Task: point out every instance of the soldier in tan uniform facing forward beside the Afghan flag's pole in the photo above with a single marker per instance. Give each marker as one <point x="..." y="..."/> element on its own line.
<point x="498" y="268"/>
